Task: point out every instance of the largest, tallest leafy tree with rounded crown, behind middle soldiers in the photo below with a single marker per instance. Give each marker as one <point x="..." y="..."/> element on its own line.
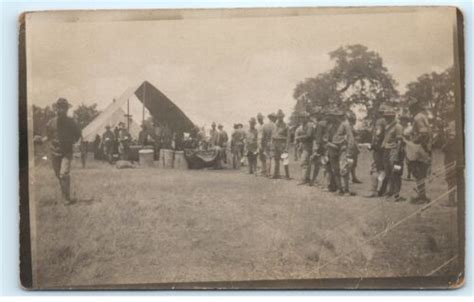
<point x="358" y="77"/>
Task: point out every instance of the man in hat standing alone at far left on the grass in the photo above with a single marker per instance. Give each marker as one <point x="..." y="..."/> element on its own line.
<point x="62" y="132"/>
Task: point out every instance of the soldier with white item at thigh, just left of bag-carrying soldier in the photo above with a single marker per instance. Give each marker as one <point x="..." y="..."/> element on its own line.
<point x="393" y="154"/>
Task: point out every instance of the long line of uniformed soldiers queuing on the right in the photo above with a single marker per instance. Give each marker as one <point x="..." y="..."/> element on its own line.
<point x="325" y="140"/>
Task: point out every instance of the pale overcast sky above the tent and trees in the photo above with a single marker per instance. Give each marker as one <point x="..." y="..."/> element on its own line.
<point x="224" y="70"/>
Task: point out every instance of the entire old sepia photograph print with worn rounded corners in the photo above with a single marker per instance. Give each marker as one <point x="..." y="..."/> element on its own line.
<point x="259" y="148"/>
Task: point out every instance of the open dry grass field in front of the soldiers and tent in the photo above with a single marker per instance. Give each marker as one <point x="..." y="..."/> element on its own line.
<point x="164" y="225"/>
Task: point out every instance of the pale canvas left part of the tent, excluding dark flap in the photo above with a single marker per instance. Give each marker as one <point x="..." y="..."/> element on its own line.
<point x="115" y="113"/>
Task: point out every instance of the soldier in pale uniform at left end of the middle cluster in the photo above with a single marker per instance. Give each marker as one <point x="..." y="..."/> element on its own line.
<point x="304" y="136"/>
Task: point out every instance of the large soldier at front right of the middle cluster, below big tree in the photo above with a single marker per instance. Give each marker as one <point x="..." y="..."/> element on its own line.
<point x="340" y="145"/>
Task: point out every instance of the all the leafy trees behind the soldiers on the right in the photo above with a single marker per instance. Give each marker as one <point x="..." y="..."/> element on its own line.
<point x="360" y="78"/>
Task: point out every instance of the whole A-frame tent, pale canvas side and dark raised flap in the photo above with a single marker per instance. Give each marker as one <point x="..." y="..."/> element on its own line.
<point x="138" y="104"/>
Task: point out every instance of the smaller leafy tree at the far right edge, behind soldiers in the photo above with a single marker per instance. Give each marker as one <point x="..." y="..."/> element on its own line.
<point x="435" y="90"/>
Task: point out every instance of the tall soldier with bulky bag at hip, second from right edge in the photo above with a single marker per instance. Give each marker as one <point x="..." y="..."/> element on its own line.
<point x="419" y="149"/>
